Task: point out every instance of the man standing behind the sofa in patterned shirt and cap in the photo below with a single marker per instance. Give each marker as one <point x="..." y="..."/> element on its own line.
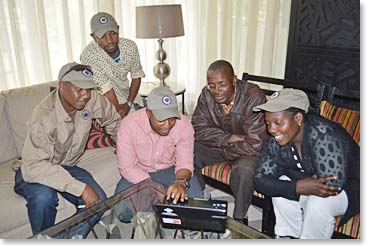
<point x="111" y="59"/>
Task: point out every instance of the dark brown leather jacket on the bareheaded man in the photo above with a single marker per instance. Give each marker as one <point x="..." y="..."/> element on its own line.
<point x="213" y="128"/>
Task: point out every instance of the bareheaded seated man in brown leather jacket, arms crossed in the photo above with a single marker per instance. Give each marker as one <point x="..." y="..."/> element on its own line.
<point x="226" y="128"/>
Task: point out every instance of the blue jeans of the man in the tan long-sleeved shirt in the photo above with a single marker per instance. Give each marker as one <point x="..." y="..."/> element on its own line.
<point x="42" y="201"/>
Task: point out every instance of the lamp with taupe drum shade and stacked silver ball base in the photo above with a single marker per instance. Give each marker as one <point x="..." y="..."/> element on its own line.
<point x="159" y="21"/>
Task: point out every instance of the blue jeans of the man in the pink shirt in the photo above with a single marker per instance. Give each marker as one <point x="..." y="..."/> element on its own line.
<point x="166" y="177"/>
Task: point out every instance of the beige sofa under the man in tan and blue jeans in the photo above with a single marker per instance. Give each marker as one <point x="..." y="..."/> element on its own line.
<point x="15" y="107"/>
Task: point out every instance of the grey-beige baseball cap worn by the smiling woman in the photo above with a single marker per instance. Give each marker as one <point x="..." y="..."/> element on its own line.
<point x="284" y="99"/>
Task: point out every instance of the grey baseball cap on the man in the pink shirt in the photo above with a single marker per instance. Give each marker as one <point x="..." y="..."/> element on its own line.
<point x="163" y="103"/>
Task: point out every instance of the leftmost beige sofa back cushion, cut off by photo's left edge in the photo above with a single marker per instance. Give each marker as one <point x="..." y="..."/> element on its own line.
<point x="7" y="150"/>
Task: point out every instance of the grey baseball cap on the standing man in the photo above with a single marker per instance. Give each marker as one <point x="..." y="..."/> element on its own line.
<point x="103" y="22"/>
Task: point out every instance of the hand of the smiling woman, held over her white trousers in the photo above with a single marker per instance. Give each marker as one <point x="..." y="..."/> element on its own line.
<point x="317" y="187"/>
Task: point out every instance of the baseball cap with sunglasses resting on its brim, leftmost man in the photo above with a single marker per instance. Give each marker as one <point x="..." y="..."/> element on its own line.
<point x="78" y="74"/>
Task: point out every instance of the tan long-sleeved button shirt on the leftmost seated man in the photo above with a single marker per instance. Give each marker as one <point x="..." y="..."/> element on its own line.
<point x="54" y="139"/>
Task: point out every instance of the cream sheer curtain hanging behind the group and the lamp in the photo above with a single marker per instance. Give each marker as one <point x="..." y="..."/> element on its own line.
<point x="39" y="36"/>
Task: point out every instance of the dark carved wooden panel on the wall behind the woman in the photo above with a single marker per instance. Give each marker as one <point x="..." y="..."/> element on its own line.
<point x="324" y="43"/>
